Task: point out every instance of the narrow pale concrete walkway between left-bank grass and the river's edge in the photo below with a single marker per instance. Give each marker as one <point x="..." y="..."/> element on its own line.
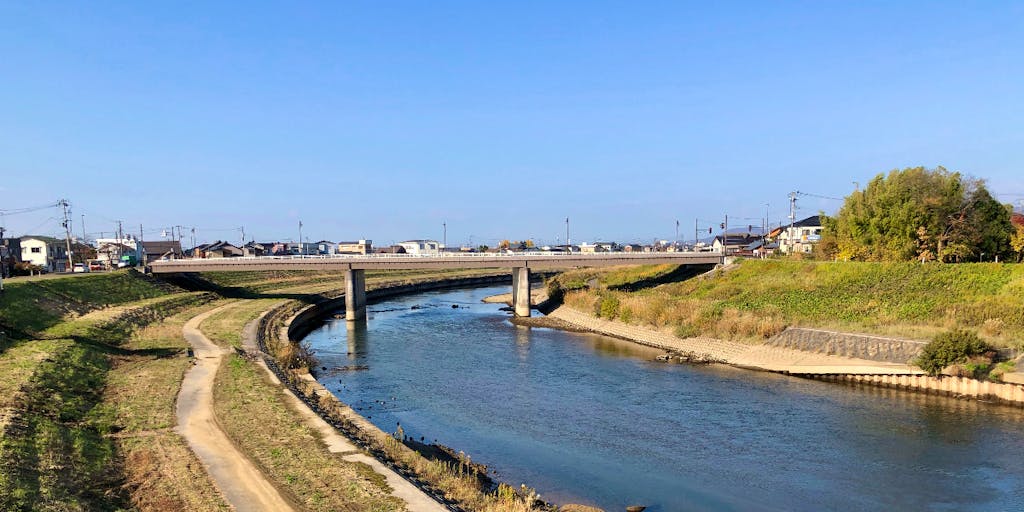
<point x="416" y="500"/>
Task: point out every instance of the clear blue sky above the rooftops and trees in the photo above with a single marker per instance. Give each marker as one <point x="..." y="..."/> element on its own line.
<point x="386" y="120"/>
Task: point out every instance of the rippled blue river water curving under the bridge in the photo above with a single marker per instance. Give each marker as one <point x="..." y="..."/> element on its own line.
<point x="594" y="420"/>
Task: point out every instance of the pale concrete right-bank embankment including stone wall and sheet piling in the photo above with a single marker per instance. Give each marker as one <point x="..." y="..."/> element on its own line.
<point x="823" y="363"/>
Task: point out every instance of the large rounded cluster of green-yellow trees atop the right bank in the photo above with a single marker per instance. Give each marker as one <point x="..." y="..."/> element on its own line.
<point x="920" y="215"/>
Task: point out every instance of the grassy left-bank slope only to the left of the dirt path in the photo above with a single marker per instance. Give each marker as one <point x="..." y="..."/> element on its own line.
<point x="89" y="396"/>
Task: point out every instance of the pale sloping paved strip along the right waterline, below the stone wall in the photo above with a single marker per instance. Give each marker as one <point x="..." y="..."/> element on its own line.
<point x="766" y="358"/>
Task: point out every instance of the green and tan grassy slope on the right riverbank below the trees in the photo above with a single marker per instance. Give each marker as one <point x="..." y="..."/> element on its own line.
<point x="756" y="300"/>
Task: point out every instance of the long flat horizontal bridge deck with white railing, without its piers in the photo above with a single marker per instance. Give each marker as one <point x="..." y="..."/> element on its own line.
<point x="407" y="262"/>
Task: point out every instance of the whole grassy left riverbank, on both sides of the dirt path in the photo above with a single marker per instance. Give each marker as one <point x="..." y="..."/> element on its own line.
<point x="93" y="367"/>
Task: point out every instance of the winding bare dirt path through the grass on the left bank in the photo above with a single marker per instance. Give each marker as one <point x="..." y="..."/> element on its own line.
<point x="244" y="487"/>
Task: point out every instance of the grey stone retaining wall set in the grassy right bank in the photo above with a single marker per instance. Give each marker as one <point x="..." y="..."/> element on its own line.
<point x="863" y="347"/>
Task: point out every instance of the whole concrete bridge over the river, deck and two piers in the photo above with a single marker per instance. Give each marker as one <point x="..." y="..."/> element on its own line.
<point x="355" y="268"/>
